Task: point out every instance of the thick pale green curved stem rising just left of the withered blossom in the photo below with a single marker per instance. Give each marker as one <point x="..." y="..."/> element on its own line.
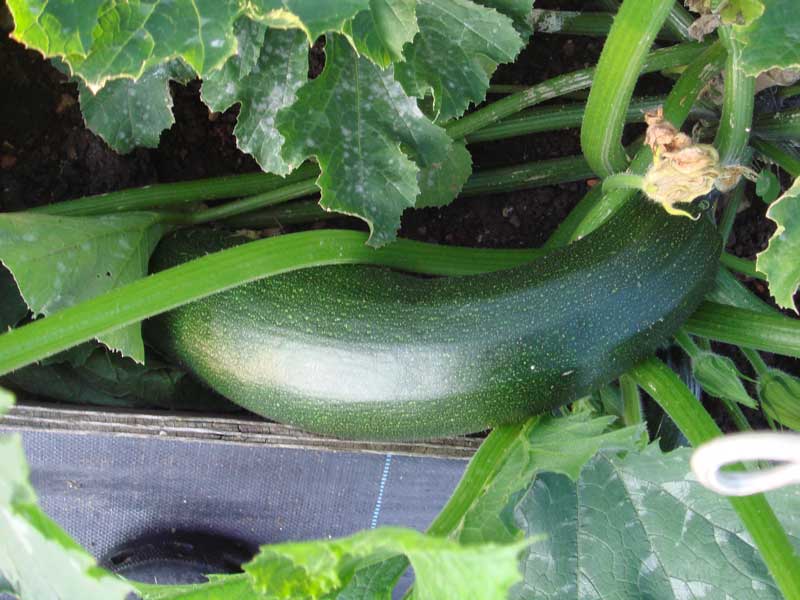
<point x="633" y="32"/>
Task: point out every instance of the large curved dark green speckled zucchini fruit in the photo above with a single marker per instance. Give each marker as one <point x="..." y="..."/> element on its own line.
<point x="364" y="352"/>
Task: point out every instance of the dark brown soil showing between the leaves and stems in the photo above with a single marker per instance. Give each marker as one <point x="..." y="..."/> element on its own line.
<point x="47" y="154"/>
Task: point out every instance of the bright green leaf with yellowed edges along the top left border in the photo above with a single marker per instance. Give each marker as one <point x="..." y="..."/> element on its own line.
<point x="102" y="41"/>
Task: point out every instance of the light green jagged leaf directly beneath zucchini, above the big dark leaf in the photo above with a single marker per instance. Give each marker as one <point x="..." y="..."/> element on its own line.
<point x="560" y="445"/>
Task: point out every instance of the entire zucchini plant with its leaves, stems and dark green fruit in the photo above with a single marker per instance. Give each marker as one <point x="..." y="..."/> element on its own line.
<point x="335" y="331"/>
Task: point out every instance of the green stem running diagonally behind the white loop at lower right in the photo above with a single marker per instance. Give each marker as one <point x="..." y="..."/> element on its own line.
<point x="755" y="512"/>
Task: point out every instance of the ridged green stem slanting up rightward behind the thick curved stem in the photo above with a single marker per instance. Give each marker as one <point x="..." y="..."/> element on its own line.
<point x="673" y="56"/>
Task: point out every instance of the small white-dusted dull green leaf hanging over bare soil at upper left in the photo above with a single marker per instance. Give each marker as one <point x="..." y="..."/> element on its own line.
<point x="128" y="113"/>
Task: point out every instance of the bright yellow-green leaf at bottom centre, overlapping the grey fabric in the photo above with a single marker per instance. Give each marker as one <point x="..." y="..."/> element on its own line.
<point x="442" y="568"/>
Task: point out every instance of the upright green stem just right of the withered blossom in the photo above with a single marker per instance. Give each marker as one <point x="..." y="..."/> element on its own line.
<point x="737" y="106"/>
